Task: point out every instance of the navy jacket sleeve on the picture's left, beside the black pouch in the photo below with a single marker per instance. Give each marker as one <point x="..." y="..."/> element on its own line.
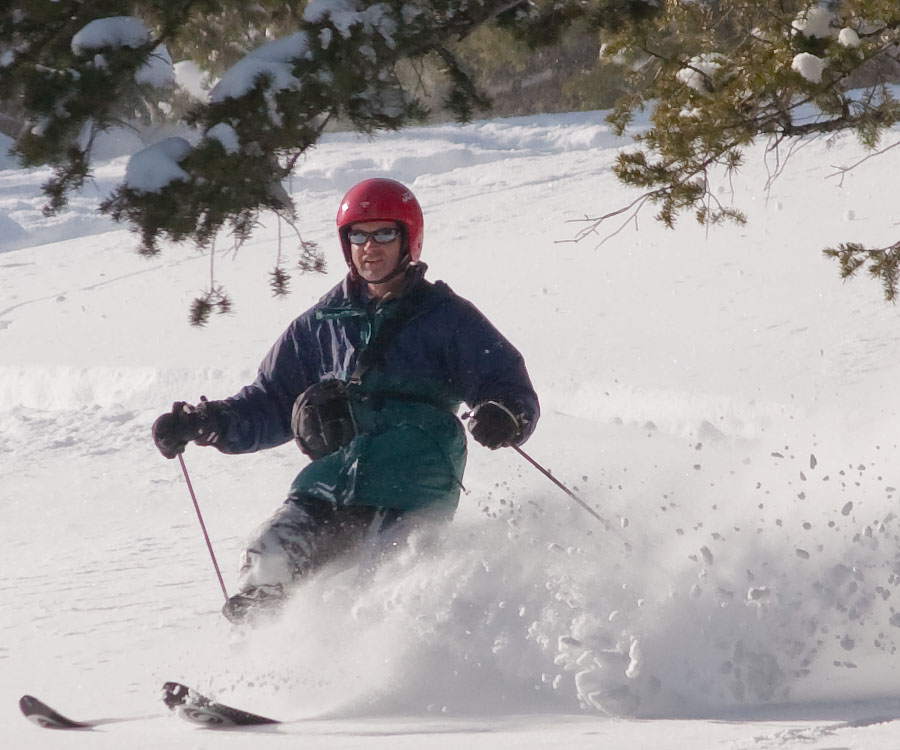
<point x="259" y="415"/>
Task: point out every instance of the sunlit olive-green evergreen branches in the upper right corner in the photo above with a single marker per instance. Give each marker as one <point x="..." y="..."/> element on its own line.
<point x="719" y="74"/>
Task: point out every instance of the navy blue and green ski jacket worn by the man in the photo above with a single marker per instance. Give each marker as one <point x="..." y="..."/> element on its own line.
<point x="446" y="353"/>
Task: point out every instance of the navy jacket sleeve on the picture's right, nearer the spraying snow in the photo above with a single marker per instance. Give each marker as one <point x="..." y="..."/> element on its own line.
<point x="487" y="367"/>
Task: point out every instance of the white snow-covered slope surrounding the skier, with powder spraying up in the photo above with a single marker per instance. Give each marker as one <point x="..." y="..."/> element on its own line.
<point x="722" y="399"/>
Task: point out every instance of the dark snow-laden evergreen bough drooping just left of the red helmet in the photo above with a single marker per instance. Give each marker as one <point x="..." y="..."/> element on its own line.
<point x="271" y="106"/>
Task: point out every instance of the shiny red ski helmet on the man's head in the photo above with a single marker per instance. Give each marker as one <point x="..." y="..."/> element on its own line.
<point x="380" y="199"/>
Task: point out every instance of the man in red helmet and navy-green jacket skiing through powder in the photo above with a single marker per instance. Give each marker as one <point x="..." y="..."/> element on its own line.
<point x="368" y="382"/>
